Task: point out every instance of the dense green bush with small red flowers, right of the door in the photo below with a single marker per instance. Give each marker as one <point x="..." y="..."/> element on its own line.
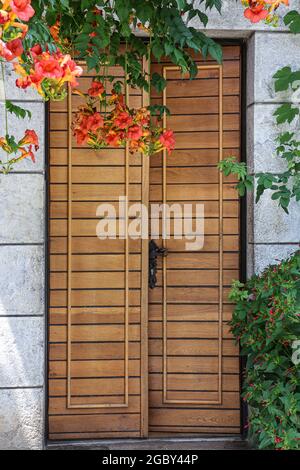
<point x="266" y="322"/>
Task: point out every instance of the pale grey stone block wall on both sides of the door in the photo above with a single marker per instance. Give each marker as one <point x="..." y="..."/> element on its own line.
<point x="271" y="234"/>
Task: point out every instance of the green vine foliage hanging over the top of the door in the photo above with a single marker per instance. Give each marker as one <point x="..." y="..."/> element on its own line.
<point x="96" y="29"/>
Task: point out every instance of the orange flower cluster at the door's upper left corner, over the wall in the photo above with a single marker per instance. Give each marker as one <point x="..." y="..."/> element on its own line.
<point x="48" y="73"/>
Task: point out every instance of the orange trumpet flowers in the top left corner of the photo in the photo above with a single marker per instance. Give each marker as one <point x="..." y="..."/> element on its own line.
<point x="12" y="30"/>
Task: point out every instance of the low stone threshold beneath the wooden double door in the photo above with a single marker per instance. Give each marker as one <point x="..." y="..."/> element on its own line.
<point x="176" y="443"/>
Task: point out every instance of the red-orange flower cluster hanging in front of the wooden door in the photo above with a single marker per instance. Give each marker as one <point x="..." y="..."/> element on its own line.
<point x="122" y="125"/>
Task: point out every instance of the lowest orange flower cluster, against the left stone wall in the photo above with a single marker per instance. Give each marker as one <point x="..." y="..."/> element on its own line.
<point x="25" y="146"/>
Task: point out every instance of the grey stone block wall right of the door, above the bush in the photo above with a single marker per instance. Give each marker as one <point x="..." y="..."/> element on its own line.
<point x="272" y="235"/>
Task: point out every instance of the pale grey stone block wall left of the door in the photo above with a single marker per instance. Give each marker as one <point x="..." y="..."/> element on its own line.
<point x="22" y="281"/>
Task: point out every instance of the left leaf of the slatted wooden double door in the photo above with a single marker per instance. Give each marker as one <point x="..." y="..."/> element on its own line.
<point x="95" y="371"/>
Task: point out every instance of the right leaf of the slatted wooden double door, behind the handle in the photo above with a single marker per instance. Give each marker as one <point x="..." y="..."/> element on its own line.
<point x="193" y="360"/>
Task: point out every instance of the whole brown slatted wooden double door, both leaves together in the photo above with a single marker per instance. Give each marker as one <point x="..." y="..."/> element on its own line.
<point x="114" y="371"/>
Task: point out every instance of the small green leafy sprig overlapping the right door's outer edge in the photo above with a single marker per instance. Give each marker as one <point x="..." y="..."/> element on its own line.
<point x="230" y="166"/>
